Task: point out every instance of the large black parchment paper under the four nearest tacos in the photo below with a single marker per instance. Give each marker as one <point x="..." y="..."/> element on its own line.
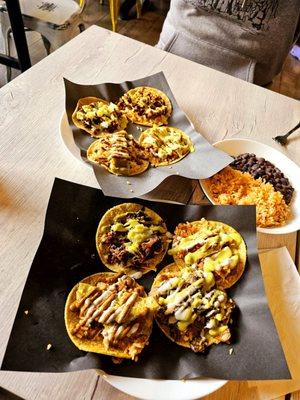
<point x="67" y="254"/>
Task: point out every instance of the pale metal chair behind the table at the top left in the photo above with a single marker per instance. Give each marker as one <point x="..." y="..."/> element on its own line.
<point x="57" y="21"/>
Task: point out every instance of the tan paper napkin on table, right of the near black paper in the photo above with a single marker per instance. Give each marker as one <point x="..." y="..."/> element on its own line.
<point x="282" y="285"/>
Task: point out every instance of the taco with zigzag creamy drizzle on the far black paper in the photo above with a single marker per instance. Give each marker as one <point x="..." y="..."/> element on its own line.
<point x="119" y="153"/>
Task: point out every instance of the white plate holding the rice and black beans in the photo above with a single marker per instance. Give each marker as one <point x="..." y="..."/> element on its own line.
<point x="235" y="147"/>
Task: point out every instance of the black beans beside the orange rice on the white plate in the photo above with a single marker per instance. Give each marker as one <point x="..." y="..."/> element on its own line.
<point x="261" y="168"/>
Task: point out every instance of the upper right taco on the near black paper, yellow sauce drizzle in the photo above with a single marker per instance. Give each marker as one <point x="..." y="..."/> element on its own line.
<point x="213" y="246"/>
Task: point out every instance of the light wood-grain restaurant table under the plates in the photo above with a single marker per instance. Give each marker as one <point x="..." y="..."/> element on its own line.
<point x="32" y="154"/>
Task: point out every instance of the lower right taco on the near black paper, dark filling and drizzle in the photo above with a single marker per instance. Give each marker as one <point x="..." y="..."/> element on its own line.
<point x="192" y="313"/>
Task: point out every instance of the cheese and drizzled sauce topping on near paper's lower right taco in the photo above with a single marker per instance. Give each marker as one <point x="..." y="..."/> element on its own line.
<point x="184" y="298"/>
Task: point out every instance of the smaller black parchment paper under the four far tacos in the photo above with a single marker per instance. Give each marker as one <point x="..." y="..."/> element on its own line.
<point x="201" y="164"/>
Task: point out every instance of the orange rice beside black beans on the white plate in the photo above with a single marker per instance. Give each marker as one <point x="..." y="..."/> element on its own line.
<point x="230" y="186"/>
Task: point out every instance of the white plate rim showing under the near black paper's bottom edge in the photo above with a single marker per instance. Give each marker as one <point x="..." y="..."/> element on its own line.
<point x="155" y="389"/>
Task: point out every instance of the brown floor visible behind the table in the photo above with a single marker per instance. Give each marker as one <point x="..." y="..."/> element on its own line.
<point x="147" y="30"/>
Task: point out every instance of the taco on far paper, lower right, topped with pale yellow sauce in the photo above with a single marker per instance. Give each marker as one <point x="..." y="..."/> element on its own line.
<point x="165" y="145"/>
